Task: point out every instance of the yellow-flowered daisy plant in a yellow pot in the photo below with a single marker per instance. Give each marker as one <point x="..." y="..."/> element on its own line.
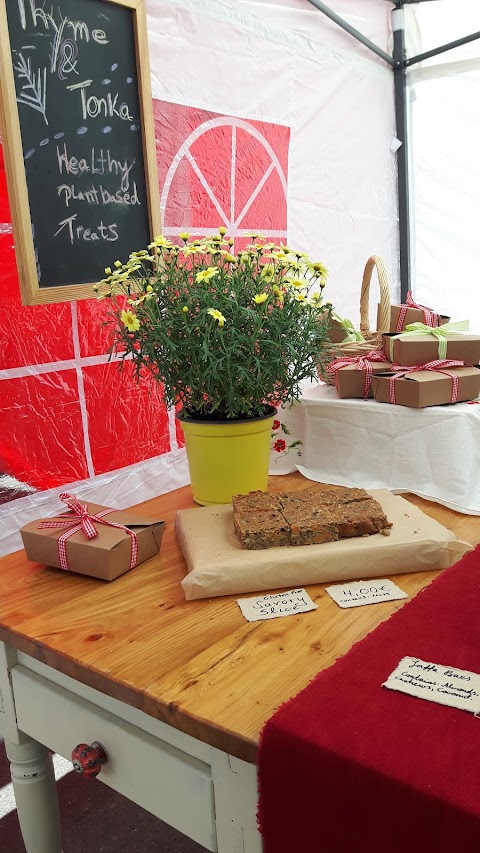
<point x="230" y="336"/>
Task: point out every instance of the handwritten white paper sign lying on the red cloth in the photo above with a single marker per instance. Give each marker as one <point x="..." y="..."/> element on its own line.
<point x="435" y="682"/>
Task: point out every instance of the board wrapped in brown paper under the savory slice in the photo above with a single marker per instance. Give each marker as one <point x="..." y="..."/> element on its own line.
<point x="218" y="565"/>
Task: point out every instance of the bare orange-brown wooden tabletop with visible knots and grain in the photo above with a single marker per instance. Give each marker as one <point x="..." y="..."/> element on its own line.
<point x="198" y="665"/>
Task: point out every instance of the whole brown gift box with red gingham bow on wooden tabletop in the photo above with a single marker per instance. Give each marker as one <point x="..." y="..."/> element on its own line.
<point x="92" y="539"/>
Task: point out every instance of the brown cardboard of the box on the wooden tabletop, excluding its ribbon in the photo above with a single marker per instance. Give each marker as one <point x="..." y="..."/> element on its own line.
<point x="107" y="555"/>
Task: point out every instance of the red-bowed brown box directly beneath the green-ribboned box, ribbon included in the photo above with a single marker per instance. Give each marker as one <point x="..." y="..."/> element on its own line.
<point x="425" y="385"/>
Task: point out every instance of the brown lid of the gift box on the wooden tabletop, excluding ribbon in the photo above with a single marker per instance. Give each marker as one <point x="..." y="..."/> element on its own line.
<point x="110" y="536"/>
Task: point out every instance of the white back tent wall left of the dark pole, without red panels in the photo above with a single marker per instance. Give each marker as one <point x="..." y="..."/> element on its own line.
<point x="286" y="64"/>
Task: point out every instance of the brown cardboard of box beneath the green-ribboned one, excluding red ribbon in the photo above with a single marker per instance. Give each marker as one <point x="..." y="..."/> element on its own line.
<point x="428" y="387"/>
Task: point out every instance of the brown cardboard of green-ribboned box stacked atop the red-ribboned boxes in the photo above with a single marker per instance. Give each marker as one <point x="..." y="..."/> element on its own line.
<point x="409" y="350"/>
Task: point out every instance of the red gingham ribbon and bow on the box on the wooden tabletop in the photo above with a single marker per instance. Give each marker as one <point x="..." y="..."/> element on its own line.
<point x="82" y="520"/>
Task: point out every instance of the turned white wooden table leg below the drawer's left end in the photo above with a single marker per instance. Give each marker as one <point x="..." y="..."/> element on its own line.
<point x="35" y="791"/>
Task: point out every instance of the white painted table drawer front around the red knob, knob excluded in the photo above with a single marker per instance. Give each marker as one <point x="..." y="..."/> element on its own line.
<point x="173" y="785"/>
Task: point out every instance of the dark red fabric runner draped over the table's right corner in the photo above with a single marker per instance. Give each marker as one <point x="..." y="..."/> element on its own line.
<point x="350" y="766"/>
